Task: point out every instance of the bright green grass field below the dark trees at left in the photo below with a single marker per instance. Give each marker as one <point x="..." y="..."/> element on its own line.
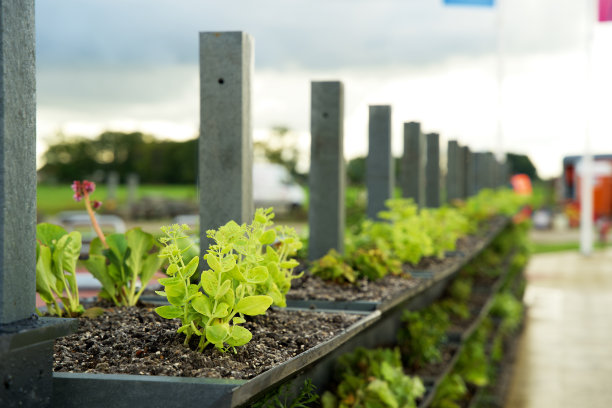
<point x="52" y="199"/>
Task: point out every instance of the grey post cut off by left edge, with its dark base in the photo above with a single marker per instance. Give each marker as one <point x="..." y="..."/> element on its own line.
<point x="26" y="343"/>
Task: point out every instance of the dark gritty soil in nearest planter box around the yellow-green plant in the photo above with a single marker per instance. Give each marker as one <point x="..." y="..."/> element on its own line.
<point x="137" y="341"/>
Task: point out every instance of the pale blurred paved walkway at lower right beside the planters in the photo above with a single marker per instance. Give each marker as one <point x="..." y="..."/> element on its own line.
<point x="565" y="354"/>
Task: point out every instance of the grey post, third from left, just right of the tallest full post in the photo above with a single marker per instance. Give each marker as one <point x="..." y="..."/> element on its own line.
<point x="326" y="214"/>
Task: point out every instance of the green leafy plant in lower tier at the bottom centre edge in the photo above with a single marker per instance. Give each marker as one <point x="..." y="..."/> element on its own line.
<point x="373" y="378"/>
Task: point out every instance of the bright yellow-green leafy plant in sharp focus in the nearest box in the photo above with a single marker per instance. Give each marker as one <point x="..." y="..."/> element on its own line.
<point x="240" y="270"/>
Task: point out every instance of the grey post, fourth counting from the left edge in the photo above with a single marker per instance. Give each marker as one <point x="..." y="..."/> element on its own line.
<point x="379" y="166"/>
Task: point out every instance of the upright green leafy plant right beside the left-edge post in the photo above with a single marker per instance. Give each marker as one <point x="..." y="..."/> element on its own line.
<point x="57" y="252"/>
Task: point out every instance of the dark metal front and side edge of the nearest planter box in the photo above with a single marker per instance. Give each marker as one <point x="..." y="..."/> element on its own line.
<point x="102" y="390"/>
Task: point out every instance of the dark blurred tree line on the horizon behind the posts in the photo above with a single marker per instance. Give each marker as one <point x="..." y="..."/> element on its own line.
<point x="175" y="162"/>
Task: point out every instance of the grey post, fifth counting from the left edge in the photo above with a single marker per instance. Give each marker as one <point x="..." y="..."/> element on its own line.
<point x="413" y="163"/>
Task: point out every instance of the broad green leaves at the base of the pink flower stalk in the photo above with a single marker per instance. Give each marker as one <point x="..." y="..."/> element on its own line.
<point x="125" y="266"/>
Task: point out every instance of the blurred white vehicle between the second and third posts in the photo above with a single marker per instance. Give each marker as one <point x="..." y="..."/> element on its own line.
<point x="273" y="186"/>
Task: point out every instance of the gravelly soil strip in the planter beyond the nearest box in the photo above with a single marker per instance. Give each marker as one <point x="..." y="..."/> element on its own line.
<point x="314" y="288"/>
